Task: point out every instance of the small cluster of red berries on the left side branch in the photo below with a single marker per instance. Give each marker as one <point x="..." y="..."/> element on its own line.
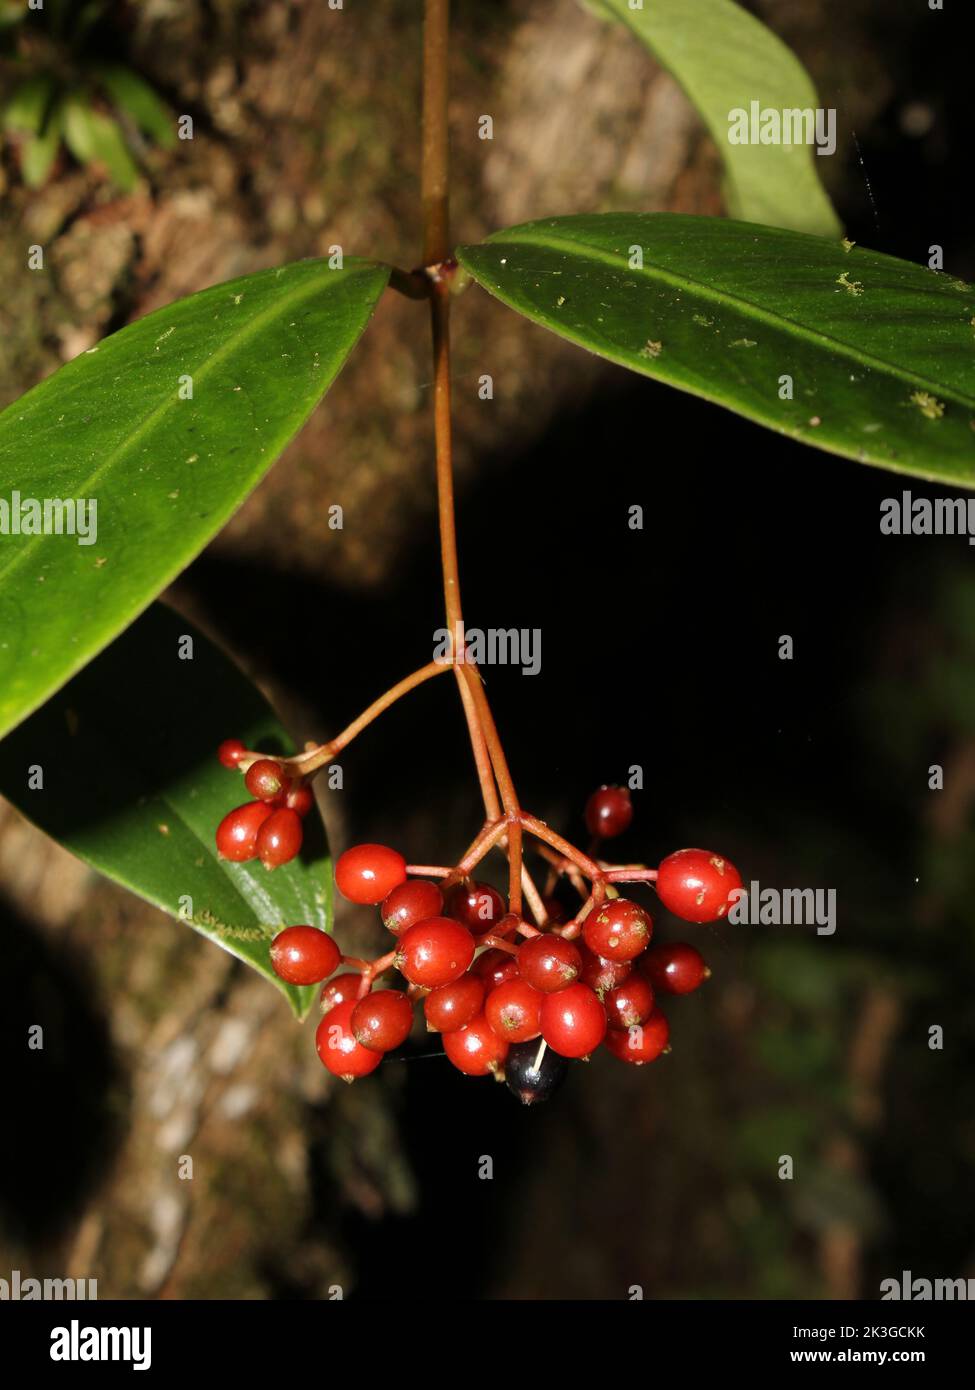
<point x="269" y="828"/>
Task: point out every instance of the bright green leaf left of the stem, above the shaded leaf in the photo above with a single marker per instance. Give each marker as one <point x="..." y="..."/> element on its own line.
<point x="165" y="473"/>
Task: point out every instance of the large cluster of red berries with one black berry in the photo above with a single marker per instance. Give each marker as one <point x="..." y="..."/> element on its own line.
<point x="508" y="999"/>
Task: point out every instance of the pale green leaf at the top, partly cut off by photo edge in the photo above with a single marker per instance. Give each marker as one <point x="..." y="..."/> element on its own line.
<point x="725" y="59"/>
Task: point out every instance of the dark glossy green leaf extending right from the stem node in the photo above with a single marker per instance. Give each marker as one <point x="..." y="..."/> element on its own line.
<point x="881" y="352"/>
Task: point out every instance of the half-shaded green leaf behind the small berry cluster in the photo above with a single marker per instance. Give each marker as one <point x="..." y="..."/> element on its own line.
<point x="133" y="786"/>
